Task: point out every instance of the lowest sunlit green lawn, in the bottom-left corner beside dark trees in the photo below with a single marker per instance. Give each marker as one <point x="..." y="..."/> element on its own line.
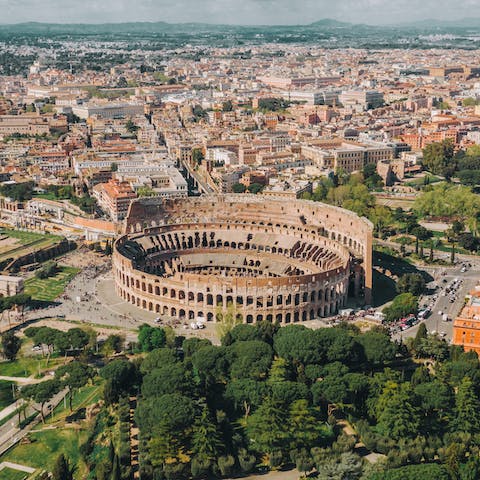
<point x="46" y="446"/>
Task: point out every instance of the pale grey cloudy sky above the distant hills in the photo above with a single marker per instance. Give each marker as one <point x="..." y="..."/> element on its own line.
<point x="289" y="12"/>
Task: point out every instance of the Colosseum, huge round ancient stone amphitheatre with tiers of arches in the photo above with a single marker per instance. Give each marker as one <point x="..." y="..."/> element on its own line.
<point x="271" y="259"/>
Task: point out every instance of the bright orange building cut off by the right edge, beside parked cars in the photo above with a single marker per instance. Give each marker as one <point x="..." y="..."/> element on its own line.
<point x="466" y="327"/>
